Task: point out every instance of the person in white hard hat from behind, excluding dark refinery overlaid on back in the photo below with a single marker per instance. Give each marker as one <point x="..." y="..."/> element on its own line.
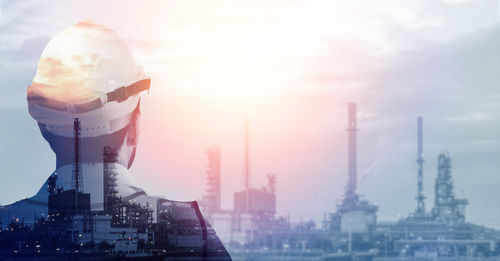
<point x="88" y="72"/>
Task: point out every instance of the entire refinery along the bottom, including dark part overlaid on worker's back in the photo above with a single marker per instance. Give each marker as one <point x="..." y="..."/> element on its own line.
<point x="161" y="229"/>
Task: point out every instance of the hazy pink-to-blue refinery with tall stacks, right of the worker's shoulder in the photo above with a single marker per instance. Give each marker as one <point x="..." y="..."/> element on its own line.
<point x="252" y="230"/>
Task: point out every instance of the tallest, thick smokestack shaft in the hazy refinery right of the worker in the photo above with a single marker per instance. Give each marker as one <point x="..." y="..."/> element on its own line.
<point x="352" y="129"/>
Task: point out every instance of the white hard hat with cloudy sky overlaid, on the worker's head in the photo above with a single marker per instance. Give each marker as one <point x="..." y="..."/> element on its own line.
<point x="88" y="72"/>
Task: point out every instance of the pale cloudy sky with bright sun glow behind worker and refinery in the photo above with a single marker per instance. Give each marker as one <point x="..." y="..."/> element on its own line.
<point x="291" y="67"/>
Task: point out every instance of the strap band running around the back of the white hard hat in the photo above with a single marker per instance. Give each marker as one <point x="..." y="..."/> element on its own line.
<point x="119" y="95"/>
